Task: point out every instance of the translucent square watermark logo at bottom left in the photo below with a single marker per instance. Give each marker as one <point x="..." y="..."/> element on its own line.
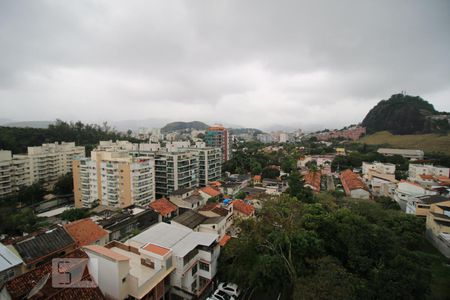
<point x="73" y="272"/>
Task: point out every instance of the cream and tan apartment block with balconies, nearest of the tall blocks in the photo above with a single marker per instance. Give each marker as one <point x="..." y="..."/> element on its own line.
<point x="114" y="179"/>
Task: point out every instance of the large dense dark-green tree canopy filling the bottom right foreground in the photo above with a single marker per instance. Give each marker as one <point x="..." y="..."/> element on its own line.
<point x="320" y="251"/>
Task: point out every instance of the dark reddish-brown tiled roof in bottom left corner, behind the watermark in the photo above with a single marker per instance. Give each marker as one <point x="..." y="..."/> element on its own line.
<point x="19" y="287"/>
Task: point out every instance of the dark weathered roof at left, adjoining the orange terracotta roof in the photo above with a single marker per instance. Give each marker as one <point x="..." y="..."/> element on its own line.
<point x="40" y="247"/>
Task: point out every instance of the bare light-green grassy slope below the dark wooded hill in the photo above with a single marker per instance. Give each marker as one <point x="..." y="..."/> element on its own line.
<point x="428" y="142"/>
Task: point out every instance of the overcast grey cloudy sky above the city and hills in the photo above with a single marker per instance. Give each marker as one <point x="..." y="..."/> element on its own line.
<point x="253" y="63"/>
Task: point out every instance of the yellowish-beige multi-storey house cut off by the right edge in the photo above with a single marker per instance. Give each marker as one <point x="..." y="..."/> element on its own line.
<point x="438" y="226"/>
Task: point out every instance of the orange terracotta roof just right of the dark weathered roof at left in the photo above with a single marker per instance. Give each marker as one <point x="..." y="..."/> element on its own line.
<point x="85" y="231"/>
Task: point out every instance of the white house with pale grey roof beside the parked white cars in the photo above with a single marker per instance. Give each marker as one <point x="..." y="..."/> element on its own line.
<point x="195" y="256"/>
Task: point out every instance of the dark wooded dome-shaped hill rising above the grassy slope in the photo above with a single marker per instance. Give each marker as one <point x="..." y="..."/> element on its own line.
<point x="404" y="114"/>
